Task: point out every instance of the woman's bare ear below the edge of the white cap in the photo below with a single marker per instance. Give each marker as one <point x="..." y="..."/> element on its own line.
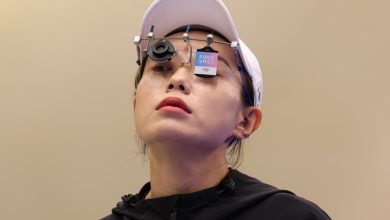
<point x="251" y="121"/>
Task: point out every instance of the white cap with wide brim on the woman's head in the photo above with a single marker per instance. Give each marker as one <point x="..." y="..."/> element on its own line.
<point x="168" y="15"/>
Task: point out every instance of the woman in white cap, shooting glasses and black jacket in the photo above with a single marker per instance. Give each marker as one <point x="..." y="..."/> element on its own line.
<point x="198" y="92"/>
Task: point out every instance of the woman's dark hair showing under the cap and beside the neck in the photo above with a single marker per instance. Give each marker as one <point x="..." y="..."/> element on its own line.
<point x="234" y="148"/>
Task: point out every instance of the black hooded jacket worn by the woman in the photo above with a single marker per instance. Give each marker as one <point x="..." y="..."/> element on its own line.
<point x="236" y="197"/>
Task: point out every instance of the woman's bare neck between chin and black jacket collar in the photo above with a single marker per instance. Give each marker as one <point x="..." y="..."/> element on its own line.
<point x="180" y="172"/>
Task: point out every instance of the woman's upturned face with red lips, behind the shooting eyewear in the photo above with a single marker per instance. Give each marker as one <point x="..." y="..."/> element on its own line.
<point x="175" y="107"/>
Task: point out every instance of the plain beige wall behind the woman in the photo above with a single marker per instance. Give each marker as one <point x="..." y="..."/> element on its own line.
<point x="67" y="141"/>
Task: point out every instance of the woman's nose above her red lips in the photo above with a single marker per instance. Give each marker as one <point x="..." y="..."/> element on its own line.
<point x="180" y="81"/>
